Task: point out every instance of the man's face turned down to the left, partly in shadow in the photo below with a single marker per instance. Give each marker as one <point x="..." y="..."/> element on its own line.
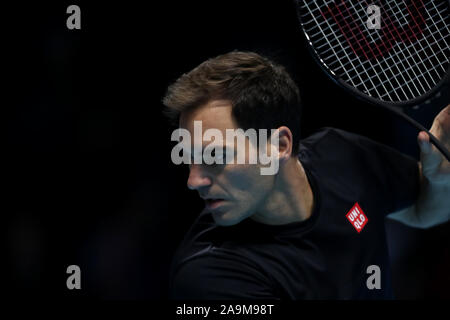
<point x="232" y="192"/>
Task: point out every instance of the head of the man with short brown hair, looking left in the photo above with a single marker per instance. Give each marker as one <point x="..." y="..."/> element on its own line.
<point x="237" y="90"/>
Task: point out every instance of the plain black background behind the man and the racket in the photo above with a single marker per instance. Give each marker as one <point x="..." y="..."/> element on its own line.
<point x="88" y="175"/>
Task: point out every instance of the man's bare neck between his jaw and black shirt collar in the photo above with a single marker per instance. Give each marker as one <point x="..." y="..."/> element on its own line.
<point x="291" y="199"/>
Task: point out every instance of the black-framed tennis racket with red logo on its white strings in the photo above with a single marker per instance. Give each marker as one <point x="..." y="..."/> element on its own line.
<point x="390" y="53"/>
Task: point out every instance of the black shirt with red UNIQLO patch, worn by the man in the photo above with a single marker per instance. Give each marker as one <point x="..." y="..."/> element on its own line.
<point x="323" y="257"/>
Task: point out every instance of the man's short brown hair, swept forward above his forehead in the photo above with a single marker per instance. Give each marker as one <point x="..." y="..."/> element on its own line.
<point x="262" y="94"/>
